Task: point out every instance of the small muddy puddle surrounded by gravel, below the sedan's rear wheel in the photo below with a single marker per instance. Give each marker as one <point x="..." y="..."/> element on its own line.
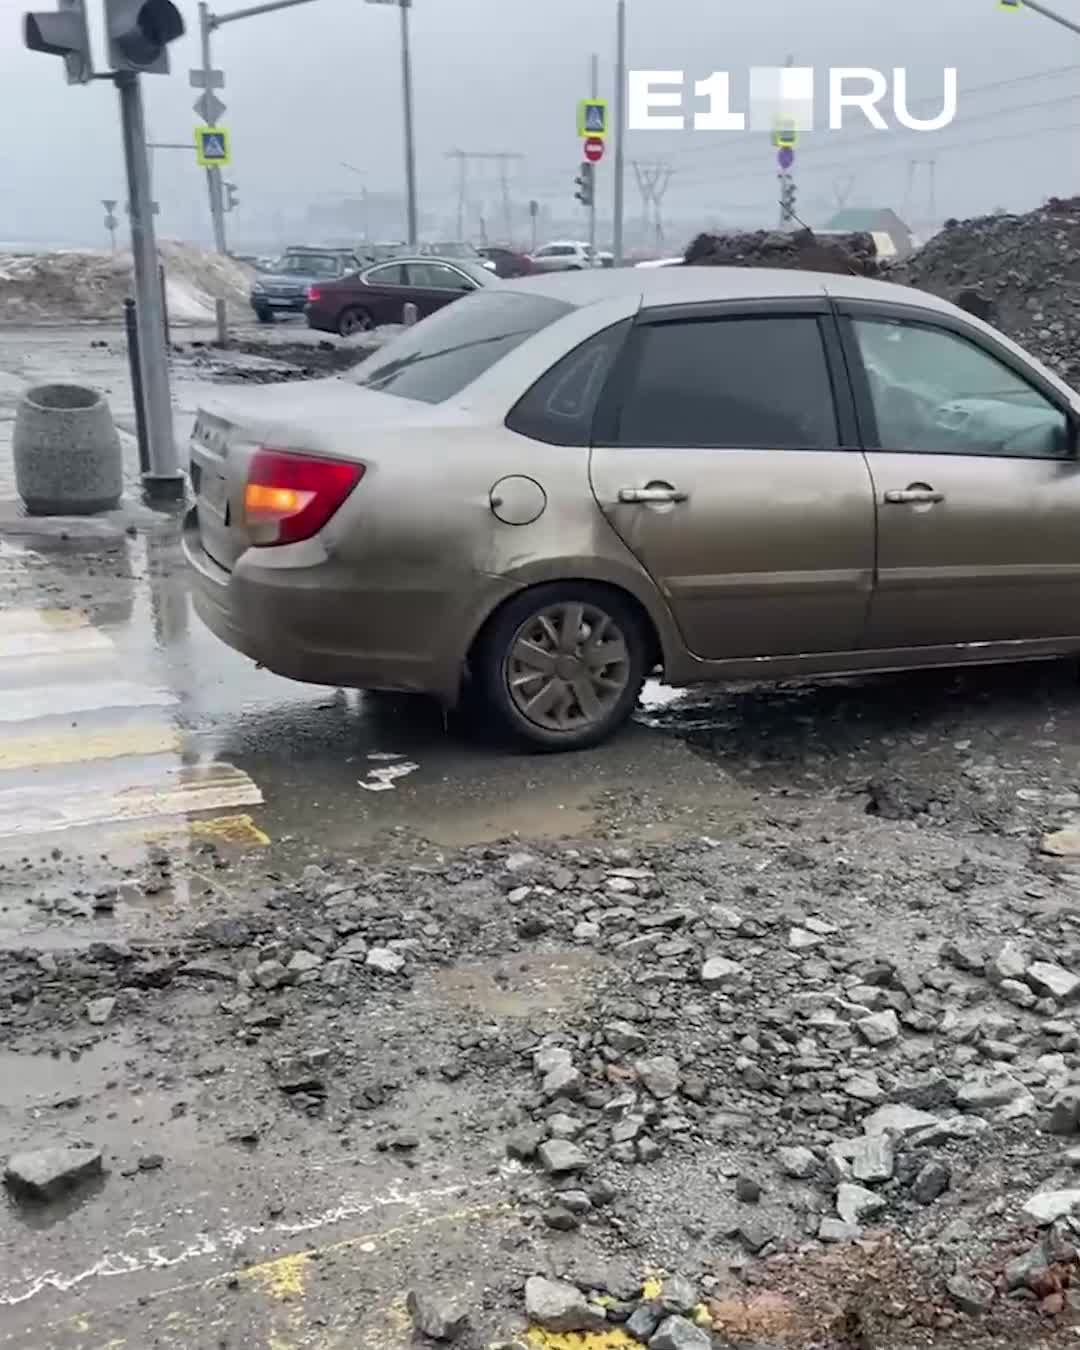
<point x="519" y="988"/>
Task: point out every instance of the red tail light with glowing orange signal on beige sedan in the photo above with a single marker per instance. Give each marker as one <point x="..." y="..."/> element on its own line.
<point x="290" y="497"/>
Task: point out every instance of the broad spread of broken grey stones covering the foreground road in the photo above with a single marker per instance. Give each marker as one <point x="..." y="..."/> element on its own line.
<point x="862" y="1087"/>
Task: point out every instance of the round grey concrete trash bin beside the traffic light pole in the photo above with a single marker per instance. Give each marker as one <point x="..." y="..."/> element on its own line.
<point x="68" y="458"/>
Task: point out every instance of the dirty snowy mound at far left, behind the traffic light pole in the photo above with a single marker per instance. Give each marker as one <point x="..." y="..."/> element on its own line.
<point x="64" y="287"/>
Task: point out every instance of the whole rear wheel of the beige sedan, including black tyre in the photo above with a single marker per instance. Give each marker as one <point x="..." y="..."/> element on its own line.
<point x="562" y="665"/>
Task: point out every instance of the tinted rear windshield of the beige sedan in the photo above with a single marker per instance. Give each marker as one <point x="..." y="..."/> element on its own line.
<point x="437" y="358"/>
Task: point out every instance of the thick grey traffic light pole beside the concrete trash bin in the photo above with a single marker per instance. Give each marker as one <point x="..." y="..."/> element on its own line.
<point x="163" y="481"/>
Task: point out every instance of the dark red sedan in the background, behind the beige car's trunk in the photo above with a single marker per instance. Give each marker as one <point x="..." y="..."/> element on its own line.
<point x="380" y="294"/>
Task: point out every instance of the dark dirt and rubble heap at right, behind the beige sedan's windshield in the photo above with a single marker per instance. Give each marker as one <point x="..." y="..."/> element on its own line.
<point x="1019" y="272"/>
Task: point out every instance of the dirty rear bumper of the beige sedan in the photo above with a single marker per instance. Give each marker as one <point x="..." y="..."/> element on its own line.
<point x="322" y="626"/>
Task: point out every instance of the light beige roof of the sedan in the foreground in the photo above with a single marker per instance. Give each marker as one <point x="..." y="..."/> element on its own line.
<point x="686" y="286"/>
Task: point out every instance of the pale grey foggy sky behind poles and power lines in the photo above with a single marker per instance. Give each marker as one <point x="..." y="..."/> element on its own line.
<point x="313" y="87"/>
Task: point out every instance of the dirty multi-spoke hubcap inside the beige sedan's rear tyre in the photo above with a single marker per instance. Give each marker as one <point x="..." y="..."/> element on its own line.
<point x="569" y="665"/>
